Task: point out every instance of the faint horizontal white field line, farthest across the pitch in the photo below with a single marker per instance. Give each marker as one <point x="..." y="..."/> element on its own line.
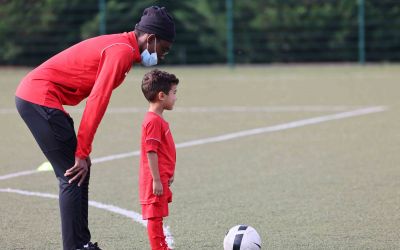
<point x="268" y="109"/>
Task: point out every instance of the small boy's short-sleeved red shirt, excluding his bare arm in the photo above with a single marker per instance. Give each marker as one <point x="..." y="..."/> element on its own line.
<point x="156" y="137"/>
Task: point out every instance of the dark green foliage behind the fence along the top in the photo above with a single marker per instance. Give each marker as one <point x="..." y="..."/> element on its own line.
<point x="264" y="30"/>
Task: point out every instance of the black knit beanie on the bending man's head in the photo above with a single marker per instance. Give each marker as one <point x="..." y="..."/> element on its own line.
<point x="156" y="20"/>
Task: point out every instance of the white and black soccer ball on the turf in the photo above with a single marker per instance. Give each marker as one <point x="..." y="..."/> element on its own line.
<point x="242" y="237"/>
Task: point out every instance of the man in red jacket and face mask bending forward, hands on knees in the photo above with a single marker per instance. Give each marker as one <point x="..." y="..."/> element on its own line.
<point x="90" y="69"/>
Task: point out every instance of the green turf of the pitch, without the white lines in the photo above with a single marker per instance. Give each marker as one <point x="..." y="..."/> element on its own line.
<point x="332" y="185"/>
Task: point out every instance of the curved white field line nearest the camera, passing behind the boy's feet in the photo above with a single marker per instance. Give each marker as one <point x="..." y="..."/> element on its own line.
<point x="110" y="208"/>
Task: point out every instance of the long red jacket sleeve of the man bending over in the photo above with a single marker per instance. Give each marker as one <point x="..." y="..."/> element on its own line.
<point x="115" y="62"/>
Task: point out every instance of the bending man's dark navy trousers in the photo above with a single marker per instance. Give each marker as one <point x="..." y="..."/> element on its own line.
<point x="55" y="134"/>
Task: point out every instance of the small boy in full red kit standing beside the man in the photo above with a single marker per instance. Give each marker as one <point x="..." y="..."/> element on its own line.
<point x="158" y="155"/>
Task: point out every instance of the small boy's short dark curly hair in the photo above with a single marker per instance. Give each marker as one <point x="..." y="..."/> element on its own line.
<point x="157" y="81"/>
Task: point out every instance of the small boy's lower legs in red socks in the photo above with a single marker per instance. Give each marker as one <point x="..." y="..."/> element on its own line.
<point x="156" y="233"/>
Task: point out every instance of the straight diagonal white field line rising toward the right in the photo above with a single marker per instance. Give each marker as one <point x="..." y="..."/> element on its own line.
<point x="230" y="136"/>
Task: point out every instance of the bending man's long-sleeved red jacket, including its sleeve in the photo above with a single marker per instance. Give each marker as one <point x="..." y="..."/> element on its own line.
<point x="90" y="69"/>
